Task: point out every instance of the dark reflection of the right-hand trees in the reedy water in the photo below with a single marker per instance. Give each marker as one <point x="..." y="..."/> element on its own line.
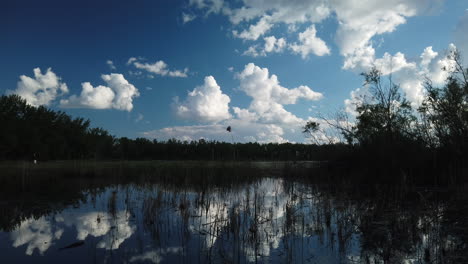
<point x="397" y="226"/>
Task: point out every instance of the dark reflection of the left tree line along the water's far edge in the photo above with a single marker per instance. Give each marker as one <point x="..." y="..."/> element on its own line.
<point x="34" y="191"/>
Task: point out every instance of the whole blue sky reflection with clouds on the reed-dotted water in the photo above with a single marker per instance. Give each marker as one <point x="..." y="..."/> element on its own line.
<point x="116" y="221"/>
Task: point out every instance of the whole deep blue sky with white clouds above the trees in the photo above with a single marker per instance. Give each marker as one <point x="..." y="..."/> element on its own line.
<point x="187" y="69"/>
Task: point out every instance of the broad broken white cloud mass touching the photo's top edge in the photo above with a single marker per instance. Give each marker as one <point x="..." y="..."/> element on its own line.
<point x="358" y="23"/>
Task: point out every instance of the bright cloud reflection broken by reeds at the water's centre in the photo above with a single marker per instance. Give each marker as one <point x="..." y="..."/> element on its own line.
<point x="270" y="204"/>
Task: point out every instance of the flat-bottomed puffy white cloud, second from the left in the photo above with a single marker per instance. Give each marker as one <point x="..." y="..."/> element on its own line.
<point x="118" y="94"/>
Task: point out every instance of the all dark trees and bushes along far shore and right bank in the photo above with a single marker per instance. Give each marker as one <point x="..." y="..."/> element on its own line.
<point x="388" y="138"/>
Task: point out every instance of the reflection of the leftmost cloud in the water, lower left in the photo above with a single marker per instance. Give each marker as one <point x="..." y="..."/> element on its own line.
<point x="36" y="234"/>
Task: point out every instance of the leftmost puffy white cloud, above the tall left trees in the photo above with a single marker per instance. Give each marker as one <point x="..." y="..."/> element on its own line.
<point x="40" y="90"/>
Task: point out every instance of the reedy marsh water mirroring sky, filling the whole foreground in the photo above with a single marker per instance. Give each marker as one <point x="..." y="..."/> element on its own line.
<point x="222" y="213"/>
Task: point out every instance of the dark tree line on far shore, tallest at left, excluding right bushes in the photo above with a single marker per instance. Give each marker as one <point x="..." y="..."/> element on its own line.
<point x="40" y="133"/>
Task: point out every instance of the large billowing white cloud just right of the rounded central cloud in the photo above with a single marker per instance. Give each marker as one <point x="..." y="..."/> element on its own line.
<point x="268" y="96"/>
